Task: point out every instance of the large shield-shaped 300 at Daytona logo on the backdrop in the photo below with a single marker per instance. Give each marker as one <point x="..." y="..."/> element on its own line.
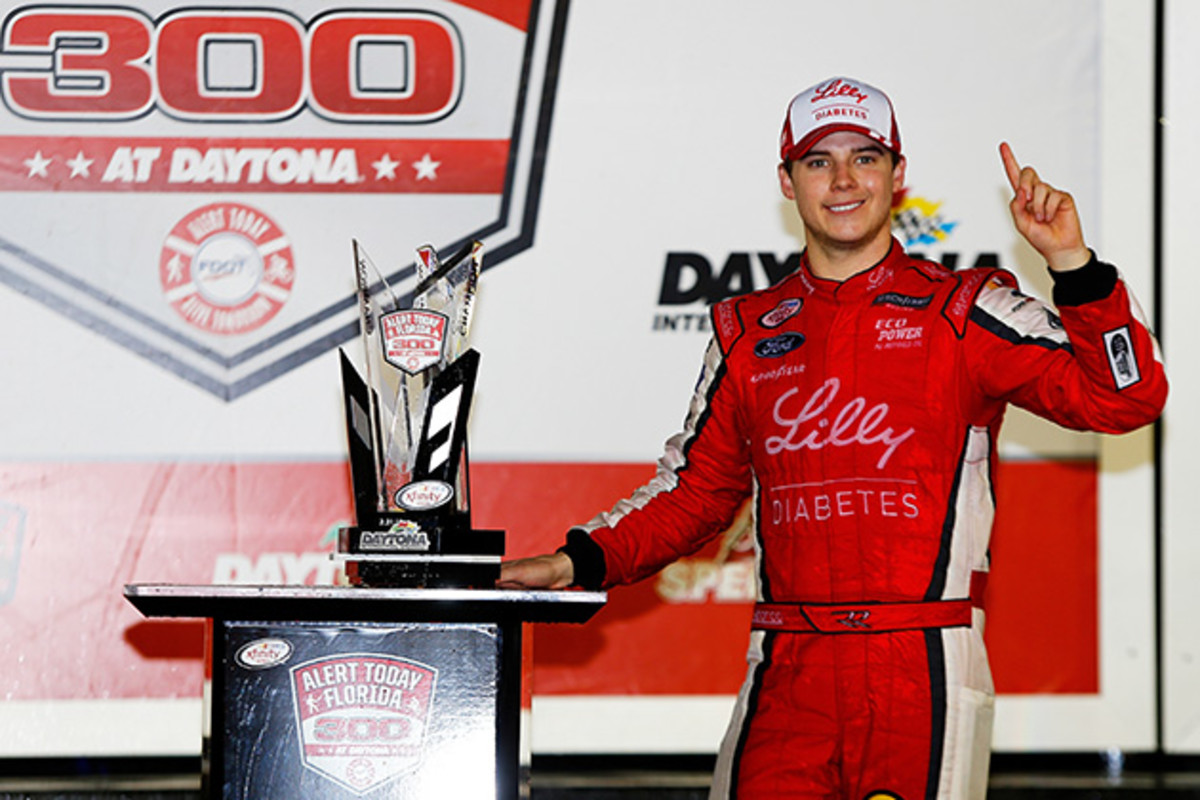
<point x="187" y="182"/>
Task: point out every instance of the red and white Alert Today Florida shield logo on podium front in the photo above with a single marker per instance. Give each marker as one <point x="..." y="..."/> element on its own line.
<point x="363" y="719"/>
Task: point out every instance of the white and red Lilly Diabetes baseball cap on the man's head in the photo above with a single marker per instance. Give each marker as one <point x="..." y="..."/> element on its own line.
<point x="838" y="105"/>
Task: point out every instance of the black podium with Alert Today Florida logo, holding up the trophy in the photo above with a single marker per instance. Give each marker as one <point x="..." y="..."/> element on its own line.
<point x="347" y="693"/>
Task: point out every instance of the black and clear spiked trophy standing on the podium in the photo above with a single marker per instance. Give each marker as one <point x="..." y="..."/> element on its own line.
<point x="407" y="431"/>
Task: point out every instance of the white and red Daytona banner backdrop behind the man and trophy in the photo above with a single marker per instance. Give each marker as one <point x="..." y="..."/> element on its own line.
<point x="182" y="187"/>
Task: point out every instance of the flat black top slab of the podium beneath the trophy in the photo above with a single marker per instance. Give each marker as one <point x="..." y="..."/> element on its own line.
<point x="363" y="605"/>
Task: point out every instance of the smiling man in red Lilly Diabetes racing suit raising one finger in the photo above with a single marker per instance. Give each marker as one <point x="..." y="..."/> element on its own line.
<point x="859" y="402"/>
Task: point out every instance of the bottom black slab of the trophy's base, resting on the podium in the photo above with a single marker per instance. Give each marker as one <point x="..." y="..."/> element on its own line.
<point x="421" y="573"/>
